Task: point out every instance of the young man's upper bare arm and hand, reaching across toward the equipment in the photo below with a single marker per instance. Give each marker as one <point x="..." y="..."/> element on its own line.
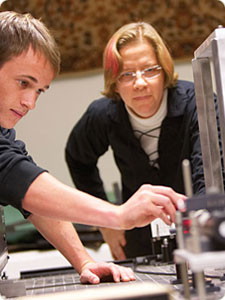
<point x="48" y="197"/>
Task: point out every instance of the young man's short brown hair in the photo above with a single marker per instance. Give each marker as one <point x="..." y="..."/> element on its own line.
<point x="20" y="31"/>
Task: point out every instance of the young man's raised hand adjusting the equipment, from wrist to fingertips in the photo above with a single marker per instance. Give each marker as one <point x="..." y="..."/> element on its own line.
<point x="148" y="203"/>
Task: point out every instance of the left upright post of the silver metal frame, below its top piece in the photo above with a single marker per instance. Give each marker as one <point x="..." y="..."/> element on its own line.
<point x="207" y="124"/>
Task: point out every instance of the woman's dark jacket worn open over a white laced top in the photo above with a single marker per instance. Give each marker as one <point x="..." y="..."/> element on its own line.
<point x="106" y="123"/>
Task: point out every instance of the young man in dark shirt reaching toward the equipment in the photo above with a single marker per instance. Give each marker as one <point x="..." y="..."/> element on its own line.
<point x="29" y="61"/>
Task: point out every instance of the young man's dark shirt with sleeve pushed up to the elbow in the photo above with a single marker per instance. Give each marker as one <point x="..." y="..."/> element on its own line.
<point x="17" y="170"/>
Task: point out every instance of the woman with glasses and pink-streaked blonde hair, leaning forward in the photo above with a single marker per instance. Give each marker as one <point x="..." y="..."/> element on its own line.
<point x="148" y="118"/>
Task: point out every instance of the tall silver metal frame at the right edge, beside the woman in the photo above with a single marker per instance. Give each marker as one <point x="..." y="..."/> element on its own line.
<point x="211" y="51"/>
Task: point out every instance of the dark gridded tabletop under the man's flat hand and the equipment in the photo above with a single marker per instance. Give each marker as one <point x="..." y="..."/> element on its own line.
<point x="66" y="279"/>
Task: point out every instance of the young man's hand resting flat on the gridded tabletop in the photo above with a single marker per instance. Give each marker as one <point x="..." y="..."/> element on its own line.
<point x="93" y="272"/>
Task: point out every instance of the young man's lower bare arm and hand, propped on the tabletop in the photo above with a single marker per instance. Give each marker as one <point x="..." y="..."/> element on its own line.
<point x="63" y="236"/>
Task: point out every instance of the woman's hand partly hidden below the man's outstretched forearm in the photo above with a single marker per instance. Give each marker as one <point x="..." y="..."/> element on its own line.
<point x="116" y="241"/>
